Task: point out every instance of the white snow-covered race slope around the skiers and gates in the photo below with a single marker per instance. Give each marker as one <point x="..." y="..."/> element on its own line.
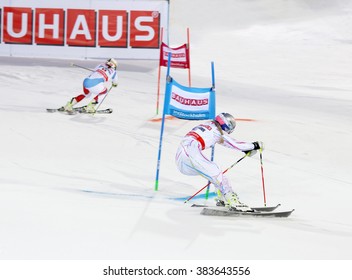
<point x="82" y="187"/>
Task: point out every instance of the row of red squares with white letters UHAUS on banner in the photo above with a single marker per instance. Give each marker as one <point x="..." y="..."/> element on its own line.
<point x="81" y="27"/>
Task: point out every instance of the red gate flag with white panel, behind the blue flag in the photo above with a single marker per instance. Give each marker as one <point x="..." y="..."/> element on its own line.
<point x="179" y="56"/>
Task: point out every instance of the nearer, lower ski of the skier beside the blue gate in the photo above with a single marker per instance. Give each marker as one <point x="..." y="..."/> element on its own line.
<point x="216" y="211"/>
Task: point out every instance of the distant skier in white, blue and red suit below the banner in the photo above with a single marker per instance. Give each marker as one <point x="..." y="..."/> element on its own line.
<point x="95" y="85"/>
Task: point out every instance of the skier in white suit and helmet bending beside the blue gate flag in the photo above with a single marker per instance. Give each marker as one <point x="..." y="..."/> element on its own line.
<point x="191" y="161"/>
